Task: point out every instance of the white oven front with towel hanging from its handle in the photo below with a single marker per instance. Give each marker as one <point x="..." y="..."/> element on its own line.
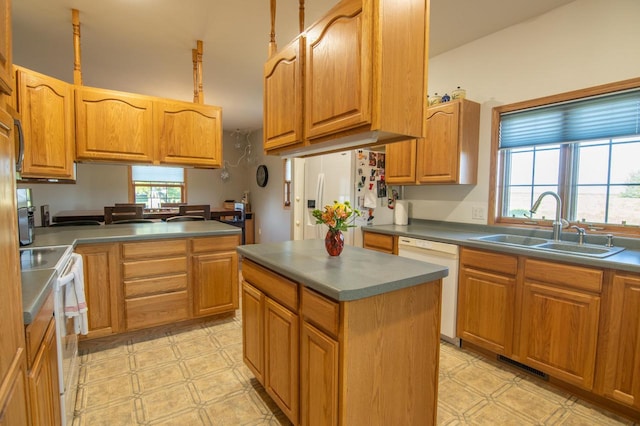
<point x="69" y="324"/>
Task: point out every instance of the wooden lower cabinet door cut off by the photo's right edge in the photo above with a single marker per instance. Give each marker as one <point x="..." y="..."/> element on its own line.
<point x="621" y="366"/>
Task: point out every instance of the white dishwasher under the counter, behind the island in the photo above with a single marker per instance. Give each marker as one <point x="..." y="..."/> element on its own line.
<point x="445" y="255"/>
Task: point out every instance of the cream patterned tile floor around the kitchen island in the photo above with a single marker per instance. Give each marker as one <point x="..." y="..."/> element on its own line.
<point x="193" y="374"/>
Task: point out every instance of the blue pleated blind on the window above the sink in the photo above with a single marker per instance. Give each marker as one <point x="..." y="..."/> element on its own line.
<point x="605" y="116"/>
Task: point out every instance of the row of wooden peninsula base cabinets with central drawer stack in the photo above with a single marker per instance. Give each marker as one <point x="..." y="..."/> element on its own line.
<point x="140" y="284"/>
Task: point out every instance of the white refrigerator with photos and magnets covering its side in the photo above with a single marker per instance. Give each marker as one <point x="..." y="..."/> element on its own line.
<point x="342" y="176"/>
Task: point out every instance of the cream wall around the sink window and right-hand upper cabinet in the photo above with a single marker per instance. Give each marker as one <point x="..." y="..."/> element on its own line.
<point x="583" y="44"/>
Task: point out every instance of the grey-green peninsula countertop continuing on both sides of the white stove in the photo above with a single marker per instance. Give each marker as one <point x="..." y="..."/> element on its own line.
<point x="36" y="284"/>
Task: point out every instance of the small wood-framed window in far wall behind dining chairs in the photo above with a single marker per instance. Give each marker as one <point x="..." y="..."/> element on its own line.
<point x="155" y="186"/>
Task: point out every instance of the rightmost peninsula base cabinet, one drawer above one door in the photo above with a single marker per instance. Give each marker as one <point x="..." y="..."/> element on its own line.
<point x="214" y="272"/>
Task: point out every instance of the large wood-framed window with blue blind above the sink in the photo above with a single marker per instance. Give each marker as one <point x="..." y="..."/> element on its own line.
<point x="582" y="145"/>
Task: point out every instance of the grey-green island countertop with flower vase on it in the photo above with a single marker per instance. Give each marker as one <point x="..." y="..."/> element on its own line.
<point x="356" y="274"/>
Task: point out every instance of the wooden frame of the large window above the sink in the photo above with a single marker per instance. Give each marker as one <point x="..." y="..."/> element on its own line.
<point x="497" y="164"/>
